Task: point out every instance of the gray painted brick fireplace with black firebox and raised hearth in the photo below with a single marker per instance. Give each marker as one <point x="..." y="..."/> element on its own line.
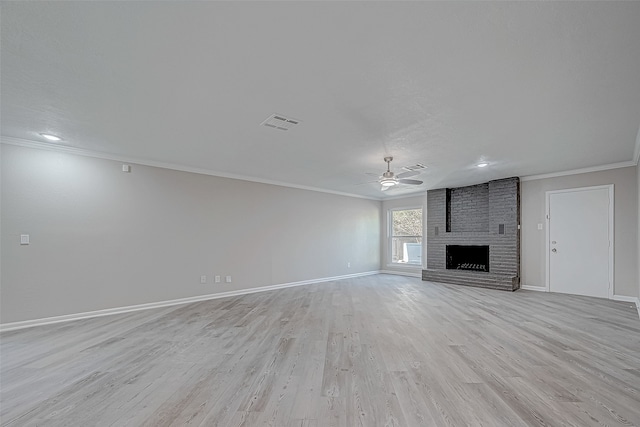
<point x="473" y="237"/>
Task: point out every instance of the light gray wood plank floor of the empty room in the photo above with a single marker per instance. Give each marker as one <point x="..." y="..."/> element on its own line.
<point x="374" y="351"/>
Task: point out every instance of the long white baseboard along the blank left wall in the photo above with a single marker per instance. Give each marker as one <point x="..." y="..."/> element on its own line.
<point x="5" y="327"/>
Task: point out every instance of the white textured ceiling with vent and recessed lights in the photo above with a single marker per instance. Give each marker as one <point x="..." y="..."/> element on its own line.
<point x="529" y="87"/>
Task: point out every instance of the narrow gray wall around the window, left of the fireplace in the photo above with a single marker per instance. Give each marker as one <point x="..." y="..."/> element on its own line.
<point x="405" y="202"/>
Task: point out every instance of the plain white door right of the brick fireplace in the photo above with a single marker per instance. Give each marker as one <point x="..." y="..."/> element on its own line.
<point x="580" y="241"/>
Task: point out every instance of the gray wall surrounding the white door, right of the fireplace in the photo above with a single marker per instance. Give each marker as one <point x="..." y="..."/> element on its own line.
<point x="626" y="225"/>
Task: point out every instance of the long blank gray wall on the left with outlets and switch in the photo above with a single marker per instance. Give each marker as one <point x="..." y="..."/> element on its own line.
<point x="101" y="238"/>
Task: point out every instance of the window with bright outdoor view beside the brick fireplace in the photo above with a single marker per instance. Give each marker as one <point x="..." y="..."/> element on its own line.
<point x="405" y="236"/>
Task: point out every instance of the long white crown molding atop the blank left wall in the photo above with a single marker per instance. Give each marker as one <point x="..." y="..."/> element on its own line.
<point x="173" y="166"/>
